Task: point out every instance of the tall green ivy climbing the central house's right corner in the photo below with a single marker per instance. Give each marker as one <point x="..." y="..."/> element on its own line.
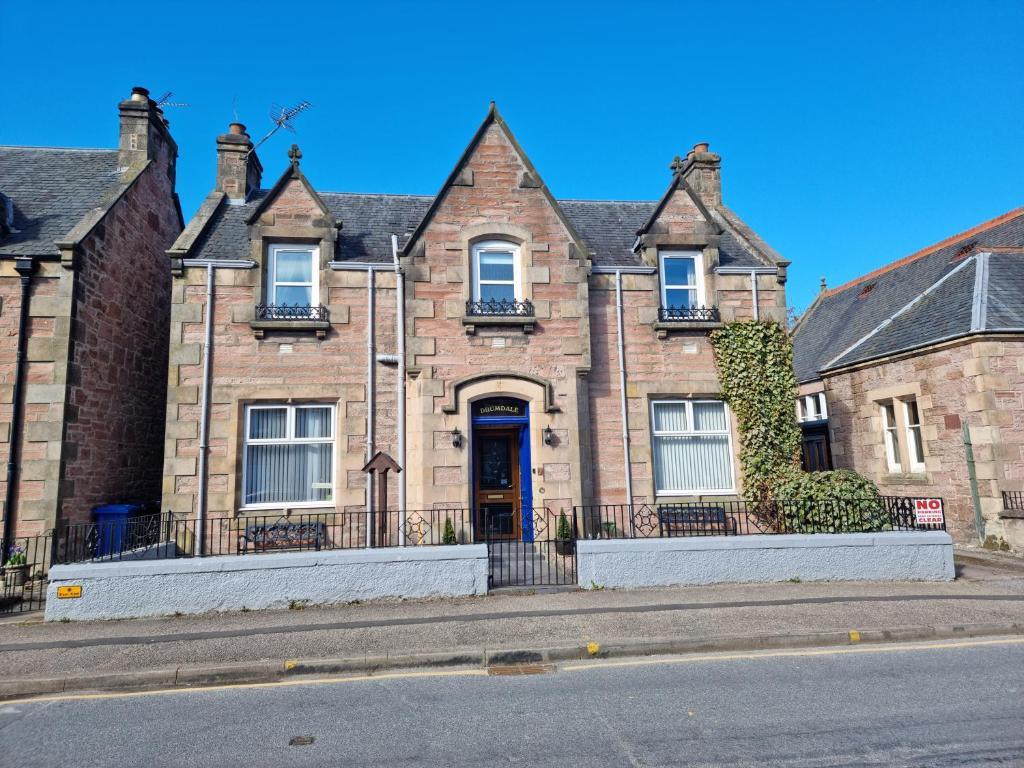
<point x="755" y="364"/>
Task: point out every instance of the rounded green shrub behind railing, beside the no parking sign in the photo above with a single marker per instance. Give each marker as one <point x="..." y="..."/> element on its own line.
<point x="837" y="502"/>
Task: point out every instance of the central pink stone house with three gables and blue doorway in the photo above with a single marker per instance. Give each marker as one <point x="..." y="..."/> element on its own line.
<point x="509" y="350"/>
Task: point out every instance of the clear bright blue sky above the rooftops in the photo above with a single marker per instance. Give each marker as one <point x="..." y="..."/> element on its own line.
<point x="851" y="134"/>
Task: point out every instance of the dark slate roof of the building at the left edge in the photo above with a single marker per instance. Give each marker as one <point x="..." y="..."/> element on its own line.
<point x="52" y="190"/>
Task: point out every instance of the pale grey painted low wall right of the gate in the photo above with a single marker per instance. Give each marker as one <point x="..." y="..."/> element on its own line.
<point x="918" y="557"/>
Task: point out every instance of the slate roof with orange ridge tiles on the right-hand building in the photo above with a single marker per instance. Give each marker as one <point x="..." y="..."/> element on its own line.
<point x="971" y="283"/>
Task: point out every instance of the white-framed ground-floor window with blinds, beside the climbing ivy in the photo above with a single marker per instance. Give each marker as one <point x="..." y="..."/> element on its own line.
<point x="693" y="448"/>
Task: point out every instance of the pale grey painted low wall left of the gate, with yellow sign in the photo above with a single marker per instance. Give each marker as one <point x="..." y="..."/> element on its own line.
<point x="151" y="588"/>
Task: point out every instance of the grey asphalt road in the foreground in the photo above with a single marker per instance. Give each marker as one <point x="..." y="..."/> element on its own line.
<point x="925" y="705"/>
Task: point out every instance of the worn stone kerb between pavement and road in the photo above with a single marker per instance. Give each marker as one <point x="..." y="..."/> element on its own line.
<point x="266" y="671"/>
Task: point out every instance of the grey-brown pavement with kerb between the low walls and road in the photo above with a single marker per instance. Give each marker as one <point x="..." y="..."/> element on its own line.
<point x="36" y="658"/>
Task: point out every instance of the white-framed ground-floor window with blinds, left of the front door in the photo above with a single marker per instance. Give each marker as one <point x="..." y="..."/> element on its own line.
<point x="289" y="456"/>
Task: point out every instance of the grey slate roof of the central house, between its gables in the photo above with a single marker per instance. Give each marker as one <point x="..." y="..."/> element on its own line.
<point x="609" y="229"/>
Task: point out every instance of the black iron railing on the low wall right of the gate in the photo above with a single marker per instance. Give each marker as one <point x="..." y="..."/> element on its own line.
<point x="745" y="519"/>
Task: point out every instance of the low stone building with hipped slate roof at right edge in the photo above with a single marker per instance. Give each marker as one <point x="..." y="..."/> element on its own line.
<point x="901" y="368"/>
